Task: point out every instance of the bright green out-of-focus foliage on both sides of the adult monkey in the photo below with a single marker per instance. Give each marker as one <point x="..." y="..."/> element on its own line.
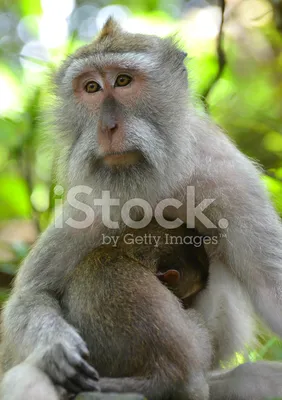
<point x="246" y="101"/>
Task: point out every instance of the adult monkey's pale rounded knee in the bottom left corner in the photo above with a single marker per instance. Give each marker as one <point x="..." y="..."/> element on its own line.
<point x="27" y="382"/>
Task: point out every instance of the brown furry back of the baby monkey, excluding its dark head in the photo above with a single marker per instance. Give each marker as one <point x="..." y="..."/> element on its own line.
<point x="132" y="324"/>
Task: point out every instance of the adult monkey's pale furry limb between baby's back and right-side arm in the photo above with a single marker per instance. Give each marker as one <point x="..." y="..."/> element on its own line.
<point x="225" y="306"/>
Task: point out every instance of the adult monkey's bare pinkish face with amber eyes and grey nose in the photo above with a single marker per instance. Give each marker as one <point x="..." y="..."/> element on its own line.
<point x="112" y="95"/>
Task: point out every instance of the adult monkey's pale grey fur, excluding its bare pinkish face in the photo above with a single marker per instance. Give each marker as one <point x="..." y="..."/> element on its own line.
<point x="180" y="148"/>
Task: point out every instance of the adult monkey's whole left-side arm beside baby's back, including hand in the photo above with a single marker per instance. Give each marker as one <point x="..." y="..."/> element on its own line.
<point x="33" y="325"/>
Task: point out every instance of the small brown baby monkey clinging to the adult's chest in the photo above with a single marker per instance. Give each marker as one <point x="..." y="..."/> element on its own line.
<point x="120" y="307"/>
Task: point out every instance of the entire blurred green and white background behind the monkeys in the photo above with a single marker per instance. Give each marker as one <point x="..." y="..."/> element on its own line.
<point x="235" y="61"/>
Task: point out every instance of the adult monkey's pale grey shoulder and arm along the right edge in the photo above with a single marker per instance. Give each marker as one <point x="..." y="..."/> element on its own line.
<point x="251" y="245"/>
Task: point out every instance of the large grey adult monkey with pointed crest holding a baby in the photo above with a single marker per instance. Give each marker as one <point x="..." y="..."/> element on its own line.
<point x="122" y="105"/>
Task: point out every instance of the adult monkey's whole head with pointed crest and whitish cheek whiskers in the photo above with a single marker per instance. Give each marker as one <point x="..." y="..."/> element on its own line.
<point x="119" y="101"/>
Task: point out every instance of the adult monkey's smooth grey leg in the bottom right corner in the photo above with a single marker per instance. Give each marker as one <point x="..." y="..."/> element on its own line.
<point x="250" y="381"/>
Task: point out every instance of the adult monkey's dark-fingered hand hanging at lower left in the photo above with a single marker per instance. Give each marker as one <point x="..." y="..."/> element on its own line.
<point x="65" y="363"/>
